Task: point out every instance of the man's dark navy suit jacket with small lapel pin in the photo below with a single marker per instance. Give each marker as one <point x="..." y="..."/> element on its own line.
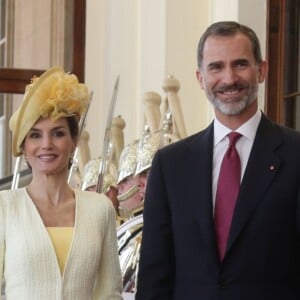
<point x="179" y="258"/>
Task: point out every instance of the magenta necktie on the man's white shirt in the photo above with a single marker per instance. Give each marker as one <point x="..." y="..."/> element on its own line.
<point x="227" y="192"/>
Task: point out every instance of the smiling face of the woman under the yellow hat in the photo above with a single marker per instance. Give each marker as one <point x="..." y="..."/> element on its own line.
<point x="48" y="146"/>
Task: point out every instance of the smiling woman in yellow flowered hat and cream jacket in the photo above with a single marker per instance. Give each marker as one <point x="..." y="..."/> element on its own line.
<point x="55" y="242"/>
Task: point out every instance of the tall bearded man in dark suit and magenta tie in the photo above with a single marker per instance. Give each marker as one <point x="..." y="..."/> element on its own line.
<point x="182" y="252"/>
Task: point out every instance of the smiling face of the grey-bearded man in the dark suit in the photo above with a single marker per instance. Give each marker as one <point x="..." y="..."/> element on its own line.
<point x="229" y="73"/>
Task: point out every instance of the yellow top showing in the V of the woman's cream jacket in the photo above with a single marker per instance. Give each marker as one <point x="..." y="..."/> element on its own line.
<point x="61" y="238"/>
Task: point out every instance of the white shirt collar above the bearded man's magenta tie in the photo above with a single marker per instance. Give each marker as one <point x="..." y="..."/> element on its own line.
<point x="248" y="129"/>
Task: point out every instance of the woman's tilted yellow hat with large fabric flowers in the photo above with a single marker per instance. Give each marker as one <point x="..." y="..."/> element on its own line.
<point x="54" y="94"/>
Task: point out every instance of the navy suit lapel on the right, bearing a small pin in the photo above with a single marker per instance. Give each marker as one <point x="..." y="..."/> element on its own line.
<point x="263" y="164"/>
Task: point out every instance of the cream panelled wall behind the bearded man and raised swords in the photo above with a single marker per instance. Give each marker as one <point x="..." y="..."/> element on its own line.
<point x="144" y="41"/>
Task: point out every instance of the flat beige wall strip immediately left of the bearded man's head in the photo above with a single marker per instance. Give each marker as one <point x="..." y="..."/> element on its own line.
<point x="184" y="25"/>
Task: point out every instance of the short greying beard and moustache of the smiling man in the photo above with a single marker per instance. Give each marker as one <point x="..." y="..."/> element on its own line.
<point x="232" y="107"/>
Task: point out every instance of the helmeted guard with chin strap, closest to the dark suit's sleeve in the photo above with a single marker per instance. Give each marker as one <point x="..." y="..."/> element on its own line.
<point x="131" y="210"/>
